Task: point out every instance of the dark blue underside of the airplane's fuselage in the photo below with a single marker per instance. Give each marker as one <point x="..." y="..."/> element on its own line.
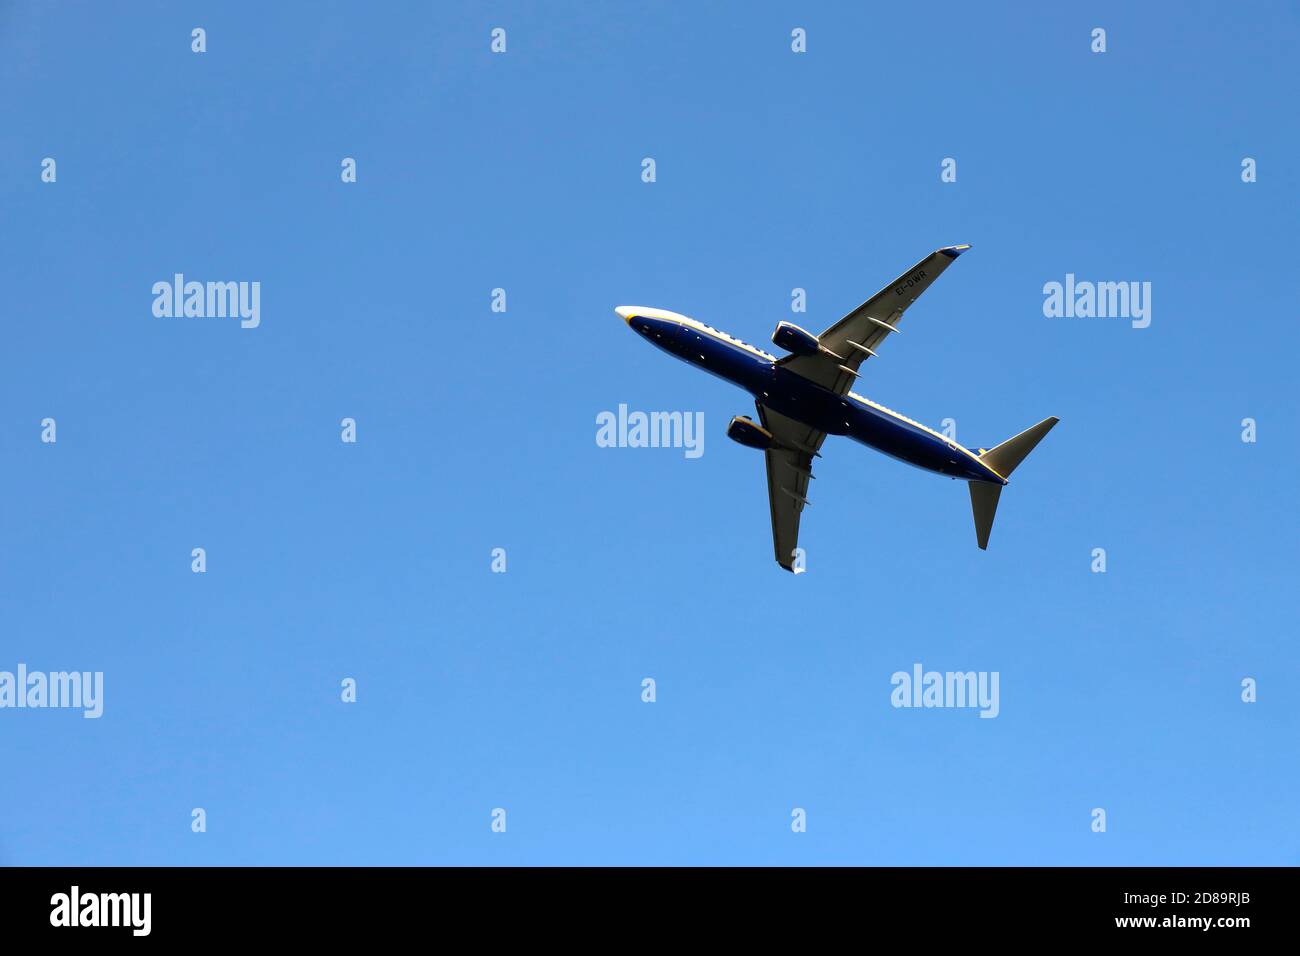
<point x="805" y="401"/>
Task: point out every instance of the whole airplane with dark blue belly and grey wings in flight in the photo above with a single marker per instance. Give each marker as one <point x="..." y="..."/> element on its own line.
<point x="804" y="397"/>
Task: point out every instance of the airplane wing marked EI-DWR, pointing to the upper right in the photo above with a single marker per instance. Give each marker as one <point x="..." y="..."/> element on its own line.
<point x="856" y="338"/>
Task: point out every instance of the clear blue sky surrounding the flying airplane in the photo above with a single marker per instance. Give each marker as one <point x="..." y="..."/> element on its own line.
<point x="478" y="431"/>
